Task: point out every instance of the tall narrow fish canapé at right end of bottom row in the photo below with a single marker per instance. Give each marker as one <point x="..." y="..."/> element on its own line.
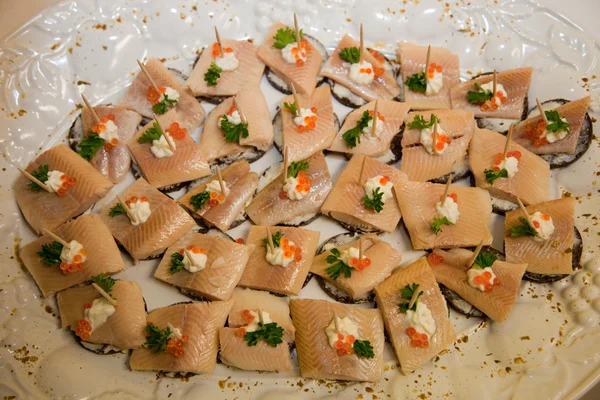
<point x="414" y="343"/>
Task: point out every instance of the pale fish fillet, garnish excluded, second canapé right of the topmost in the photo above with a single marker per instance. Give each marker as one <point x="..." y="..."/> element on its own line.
<point x="412" y="60"/>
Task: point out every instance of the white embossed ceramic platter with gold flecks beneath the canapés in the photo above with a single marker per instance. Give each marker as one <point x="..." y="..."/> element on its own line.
<point x="547" y="349"/>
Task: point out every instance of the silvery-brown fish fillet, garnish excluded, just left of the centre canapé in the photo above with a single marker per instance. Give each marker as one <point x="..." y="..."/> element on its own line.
<point x="241" y="183"/>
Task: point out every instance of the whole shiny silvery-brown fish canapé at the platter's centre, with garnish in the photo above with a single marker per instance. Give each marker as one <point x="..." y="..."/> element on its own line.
<point x="273" y="205"/>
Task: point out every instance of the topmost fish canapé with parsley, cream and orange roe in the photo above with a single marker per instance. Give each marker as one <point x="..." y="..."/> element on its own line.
<point x="301" y="70"/>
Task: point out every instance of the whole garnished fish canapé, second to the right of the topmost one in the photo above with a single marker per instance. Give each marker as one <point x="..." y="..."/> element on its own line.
<point x="443" y="73"/>
